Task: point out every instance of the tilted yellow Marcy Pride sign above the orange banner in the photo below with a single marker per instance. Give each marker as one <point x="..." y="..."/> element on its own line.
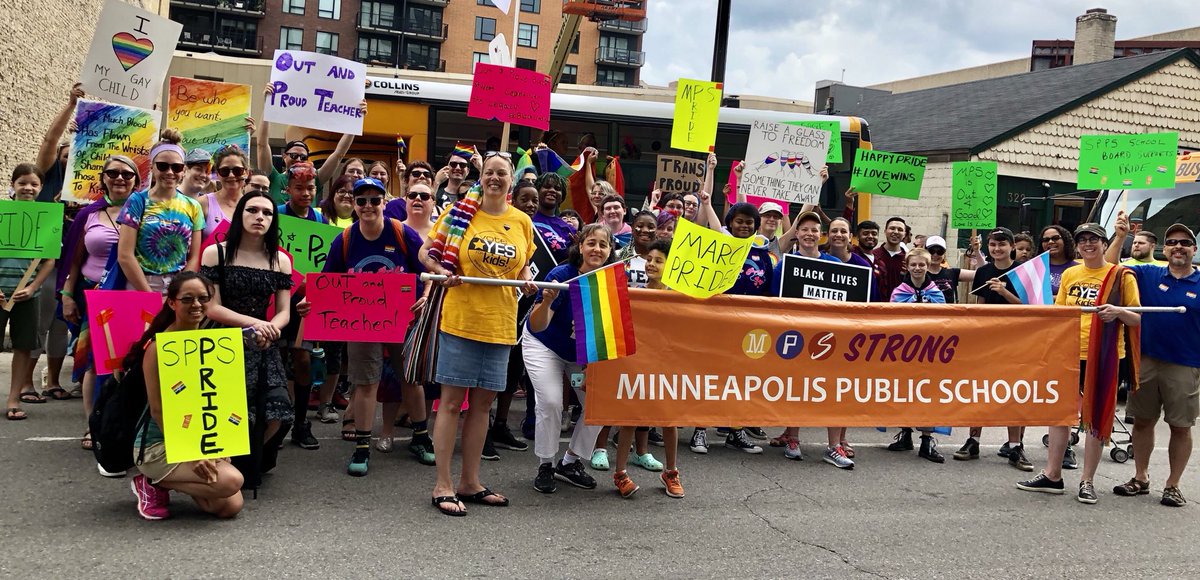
<point x="704" y="262"/>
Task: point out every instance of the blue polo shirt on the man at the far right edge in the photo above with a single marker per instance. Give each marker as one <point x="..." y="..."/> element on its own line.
<point x="1169" y="337"/>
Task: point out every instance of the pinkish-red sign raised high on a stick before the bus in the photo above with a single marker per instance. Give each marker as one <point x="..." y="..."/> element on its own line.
<point x="511" y="95"/>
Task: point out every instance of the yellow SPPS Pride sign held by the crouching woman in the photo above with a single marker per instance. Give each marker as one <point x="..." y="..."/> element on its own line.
<point x="202" y="376"/>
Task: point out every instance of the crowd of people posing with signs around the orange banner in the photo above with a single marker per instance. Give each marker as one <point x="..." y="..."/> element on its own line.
<point x="496" y="345"/>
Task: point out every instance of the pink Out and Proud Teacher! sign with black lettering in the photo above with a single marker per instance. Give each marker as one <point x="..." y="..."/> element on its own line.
<point x="359" y="308"/>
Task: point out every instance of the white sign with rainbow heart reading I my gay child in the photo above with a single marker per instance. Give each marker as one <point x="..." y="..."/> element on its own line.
<point x="130" y="55"/>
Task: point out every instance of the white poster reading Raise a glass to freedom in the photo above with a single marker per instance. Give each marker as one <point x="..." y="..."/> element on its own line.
<point x="784" y="163"/>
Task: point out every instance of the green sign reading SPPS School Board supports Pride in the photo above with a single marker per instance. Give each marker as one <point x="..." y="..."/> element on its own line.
<point x="1127" y="162"/>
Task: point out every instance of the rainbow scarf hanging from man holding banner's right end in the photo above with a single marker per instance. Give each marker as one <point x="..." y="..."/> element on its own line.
<point x="1101" y="379"/>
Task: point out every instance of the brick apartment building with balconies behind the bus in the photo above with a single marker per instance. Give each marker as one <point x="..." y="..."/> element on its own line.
<point x="425" y="35"/>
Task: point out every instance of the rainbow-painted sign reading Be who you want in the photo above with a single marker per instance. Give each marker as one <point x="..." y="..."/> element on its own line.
<point x="211" y="115"/>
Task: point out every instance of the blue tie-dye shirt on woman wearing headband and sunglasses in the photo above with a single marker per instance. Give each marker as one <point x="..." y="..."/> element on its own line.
<point x="165" y="230"/>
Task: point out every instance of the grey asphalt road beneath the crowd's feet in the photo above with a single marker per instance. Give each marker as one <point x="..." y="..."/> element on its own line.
<point x="746" y="517"/>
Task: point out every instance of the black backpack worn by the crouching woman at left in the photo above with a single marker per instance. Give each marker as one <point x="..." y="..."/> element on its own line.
<point x="117" y="420"/>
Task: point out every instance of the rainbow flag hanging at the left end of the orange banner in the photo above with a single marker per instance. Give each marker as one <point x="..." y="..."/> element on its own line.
<point x="604" y="327"/>
